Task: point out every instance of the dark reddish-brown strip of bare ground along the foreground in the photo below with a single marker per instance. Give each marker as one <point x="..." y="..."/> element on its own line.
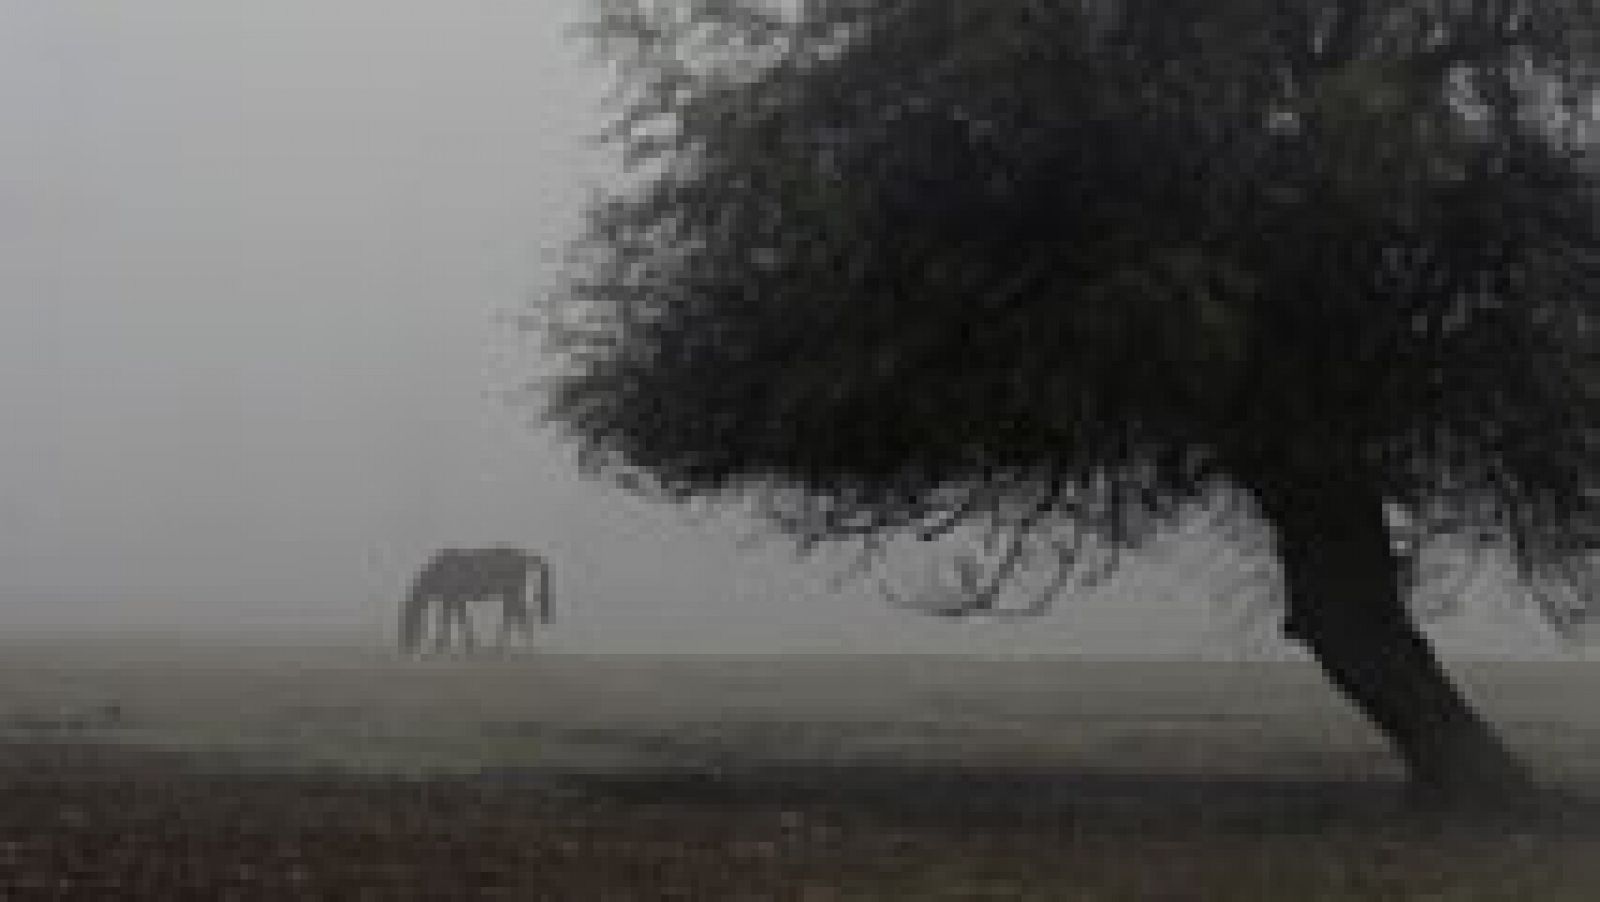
<point x="98" y="823"/>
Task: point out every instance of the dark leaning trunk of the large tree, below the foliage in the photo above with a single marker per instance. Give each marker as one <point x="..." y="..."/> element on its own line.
<point x="1348" y="609"/>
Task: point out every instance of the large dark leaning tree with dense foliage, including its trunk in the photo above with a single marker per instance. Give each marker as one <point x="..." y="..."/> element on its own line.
<point x="1095" y="269"/>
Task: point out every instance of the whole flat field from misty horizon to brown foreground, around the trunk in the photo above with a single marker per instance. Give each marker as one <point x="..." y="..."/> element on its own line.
<point x="271" y="773"/>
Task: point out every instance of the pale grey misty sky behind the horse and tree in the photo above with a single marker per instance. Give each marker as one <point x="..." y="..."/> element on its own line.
<point x="252" y="258"/>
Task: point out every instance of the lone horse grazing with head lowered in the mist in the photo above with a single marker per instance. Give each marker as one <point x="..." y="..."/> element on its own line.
<point x="454" y="578"/>
